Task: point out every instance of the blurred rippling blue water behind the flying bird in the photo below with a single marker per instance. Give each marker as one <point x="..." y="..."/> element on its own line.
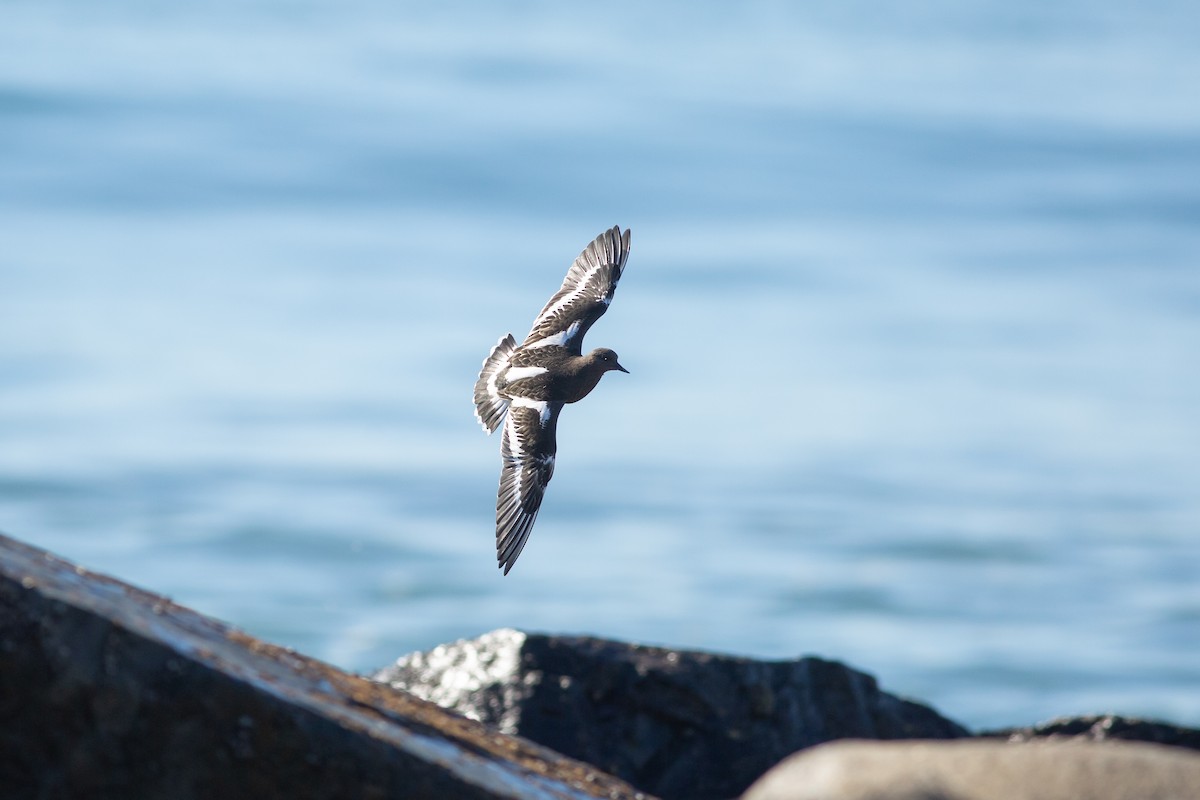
<point x="913" y="317"/>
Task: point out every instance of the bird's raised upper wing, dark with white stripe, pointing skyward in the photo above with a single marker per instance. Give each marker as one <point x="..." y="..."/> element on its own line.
<point x="586" y="294"/>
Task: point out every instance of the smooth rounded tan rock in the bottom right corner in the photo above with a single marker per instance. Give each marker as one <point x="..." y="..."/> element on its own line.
<point x="983" y="771"/>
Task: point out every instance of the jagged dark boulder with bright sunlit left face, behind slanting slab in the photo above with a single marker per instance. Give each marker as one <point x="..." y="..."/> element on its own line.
<point x="673" y="723"/>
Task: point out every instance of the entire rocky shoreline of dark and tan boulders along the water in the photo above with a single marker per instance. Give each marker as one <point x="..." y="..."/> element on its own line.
<point x="109" y="691"/>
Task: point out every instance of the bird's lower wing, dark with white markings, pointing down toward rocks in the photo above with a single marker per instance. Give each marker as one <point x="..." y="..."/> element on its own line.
<point x="527" y="464"/>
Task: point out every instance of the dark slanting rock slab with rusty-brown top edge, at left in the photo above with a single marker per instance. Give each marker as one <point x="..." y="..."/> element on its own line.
<point x="107" y="691"/>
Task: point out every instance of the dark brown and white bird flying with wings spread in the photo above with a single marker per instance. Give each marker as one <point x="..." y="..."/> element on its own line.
<point x="535" y="381"/>
